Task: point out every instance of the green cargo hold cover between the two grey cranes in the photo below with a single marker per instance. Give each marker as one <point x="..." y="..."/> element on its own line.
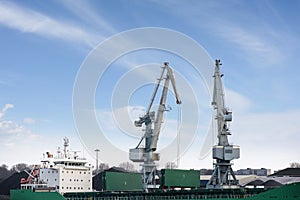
<point x="180" y="178"/>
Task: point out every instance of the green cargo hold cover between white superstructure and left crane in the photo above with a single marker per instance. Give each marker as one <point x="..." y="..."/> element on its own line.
<point x="122" y="181"/>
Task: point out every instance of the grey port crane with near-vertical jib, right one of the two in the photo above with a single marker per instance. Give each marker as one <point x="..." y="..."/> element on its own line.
<point x="223" y="175"/>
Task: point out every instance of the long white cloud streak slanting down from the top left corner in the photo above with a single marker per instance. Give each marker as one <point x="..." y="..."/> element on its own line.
<point x="30" y="21"/>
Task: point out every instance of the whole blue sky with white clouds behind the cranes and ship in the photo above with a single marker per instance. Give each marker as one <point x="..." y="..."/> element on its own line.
<point x="47" y="47"/>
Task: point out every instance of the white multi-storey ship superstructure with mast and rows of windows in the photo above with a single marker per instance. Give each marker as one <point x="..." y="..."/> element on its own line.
<point x="64" y="173"/>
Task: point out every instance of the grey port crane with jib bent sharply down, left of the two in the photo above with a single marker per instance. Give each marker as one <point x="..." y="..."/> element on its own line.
<point x="147" y="154"/>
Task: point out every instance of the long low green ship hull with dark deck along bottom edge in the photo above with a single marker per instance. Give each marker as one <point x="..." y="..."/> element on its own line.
<point x="287" y="192"/>
